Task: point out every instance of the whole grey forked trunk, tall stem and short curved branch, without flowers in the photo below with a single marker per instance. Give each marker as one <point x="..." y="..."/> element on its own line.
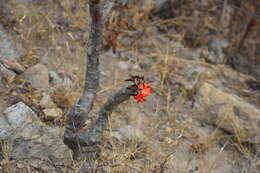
<point x="74" y="136"/>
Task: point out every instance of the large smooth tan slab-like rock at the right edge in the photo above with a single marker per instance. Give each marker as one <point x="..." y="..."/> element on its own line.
<point x="228" y="112"/>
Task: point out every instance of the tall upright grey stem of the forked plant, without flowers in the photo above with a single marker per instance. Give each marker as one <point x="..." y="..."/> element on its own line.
<point x="76" y="118"/>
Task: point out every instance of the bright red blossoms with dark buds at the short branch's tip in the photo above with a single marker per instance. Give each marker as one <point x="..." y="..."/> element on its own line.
<point x="142" y="87"/>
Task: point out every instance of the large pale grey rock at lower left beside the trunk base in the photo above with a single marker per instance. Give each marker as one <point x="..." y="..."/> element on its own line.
<point x="30" y="138"/>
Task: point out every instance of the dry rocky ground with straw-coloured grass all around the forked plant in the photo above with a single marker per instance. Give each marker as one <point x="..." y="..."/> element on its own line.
<point x="203" y="115"/>
